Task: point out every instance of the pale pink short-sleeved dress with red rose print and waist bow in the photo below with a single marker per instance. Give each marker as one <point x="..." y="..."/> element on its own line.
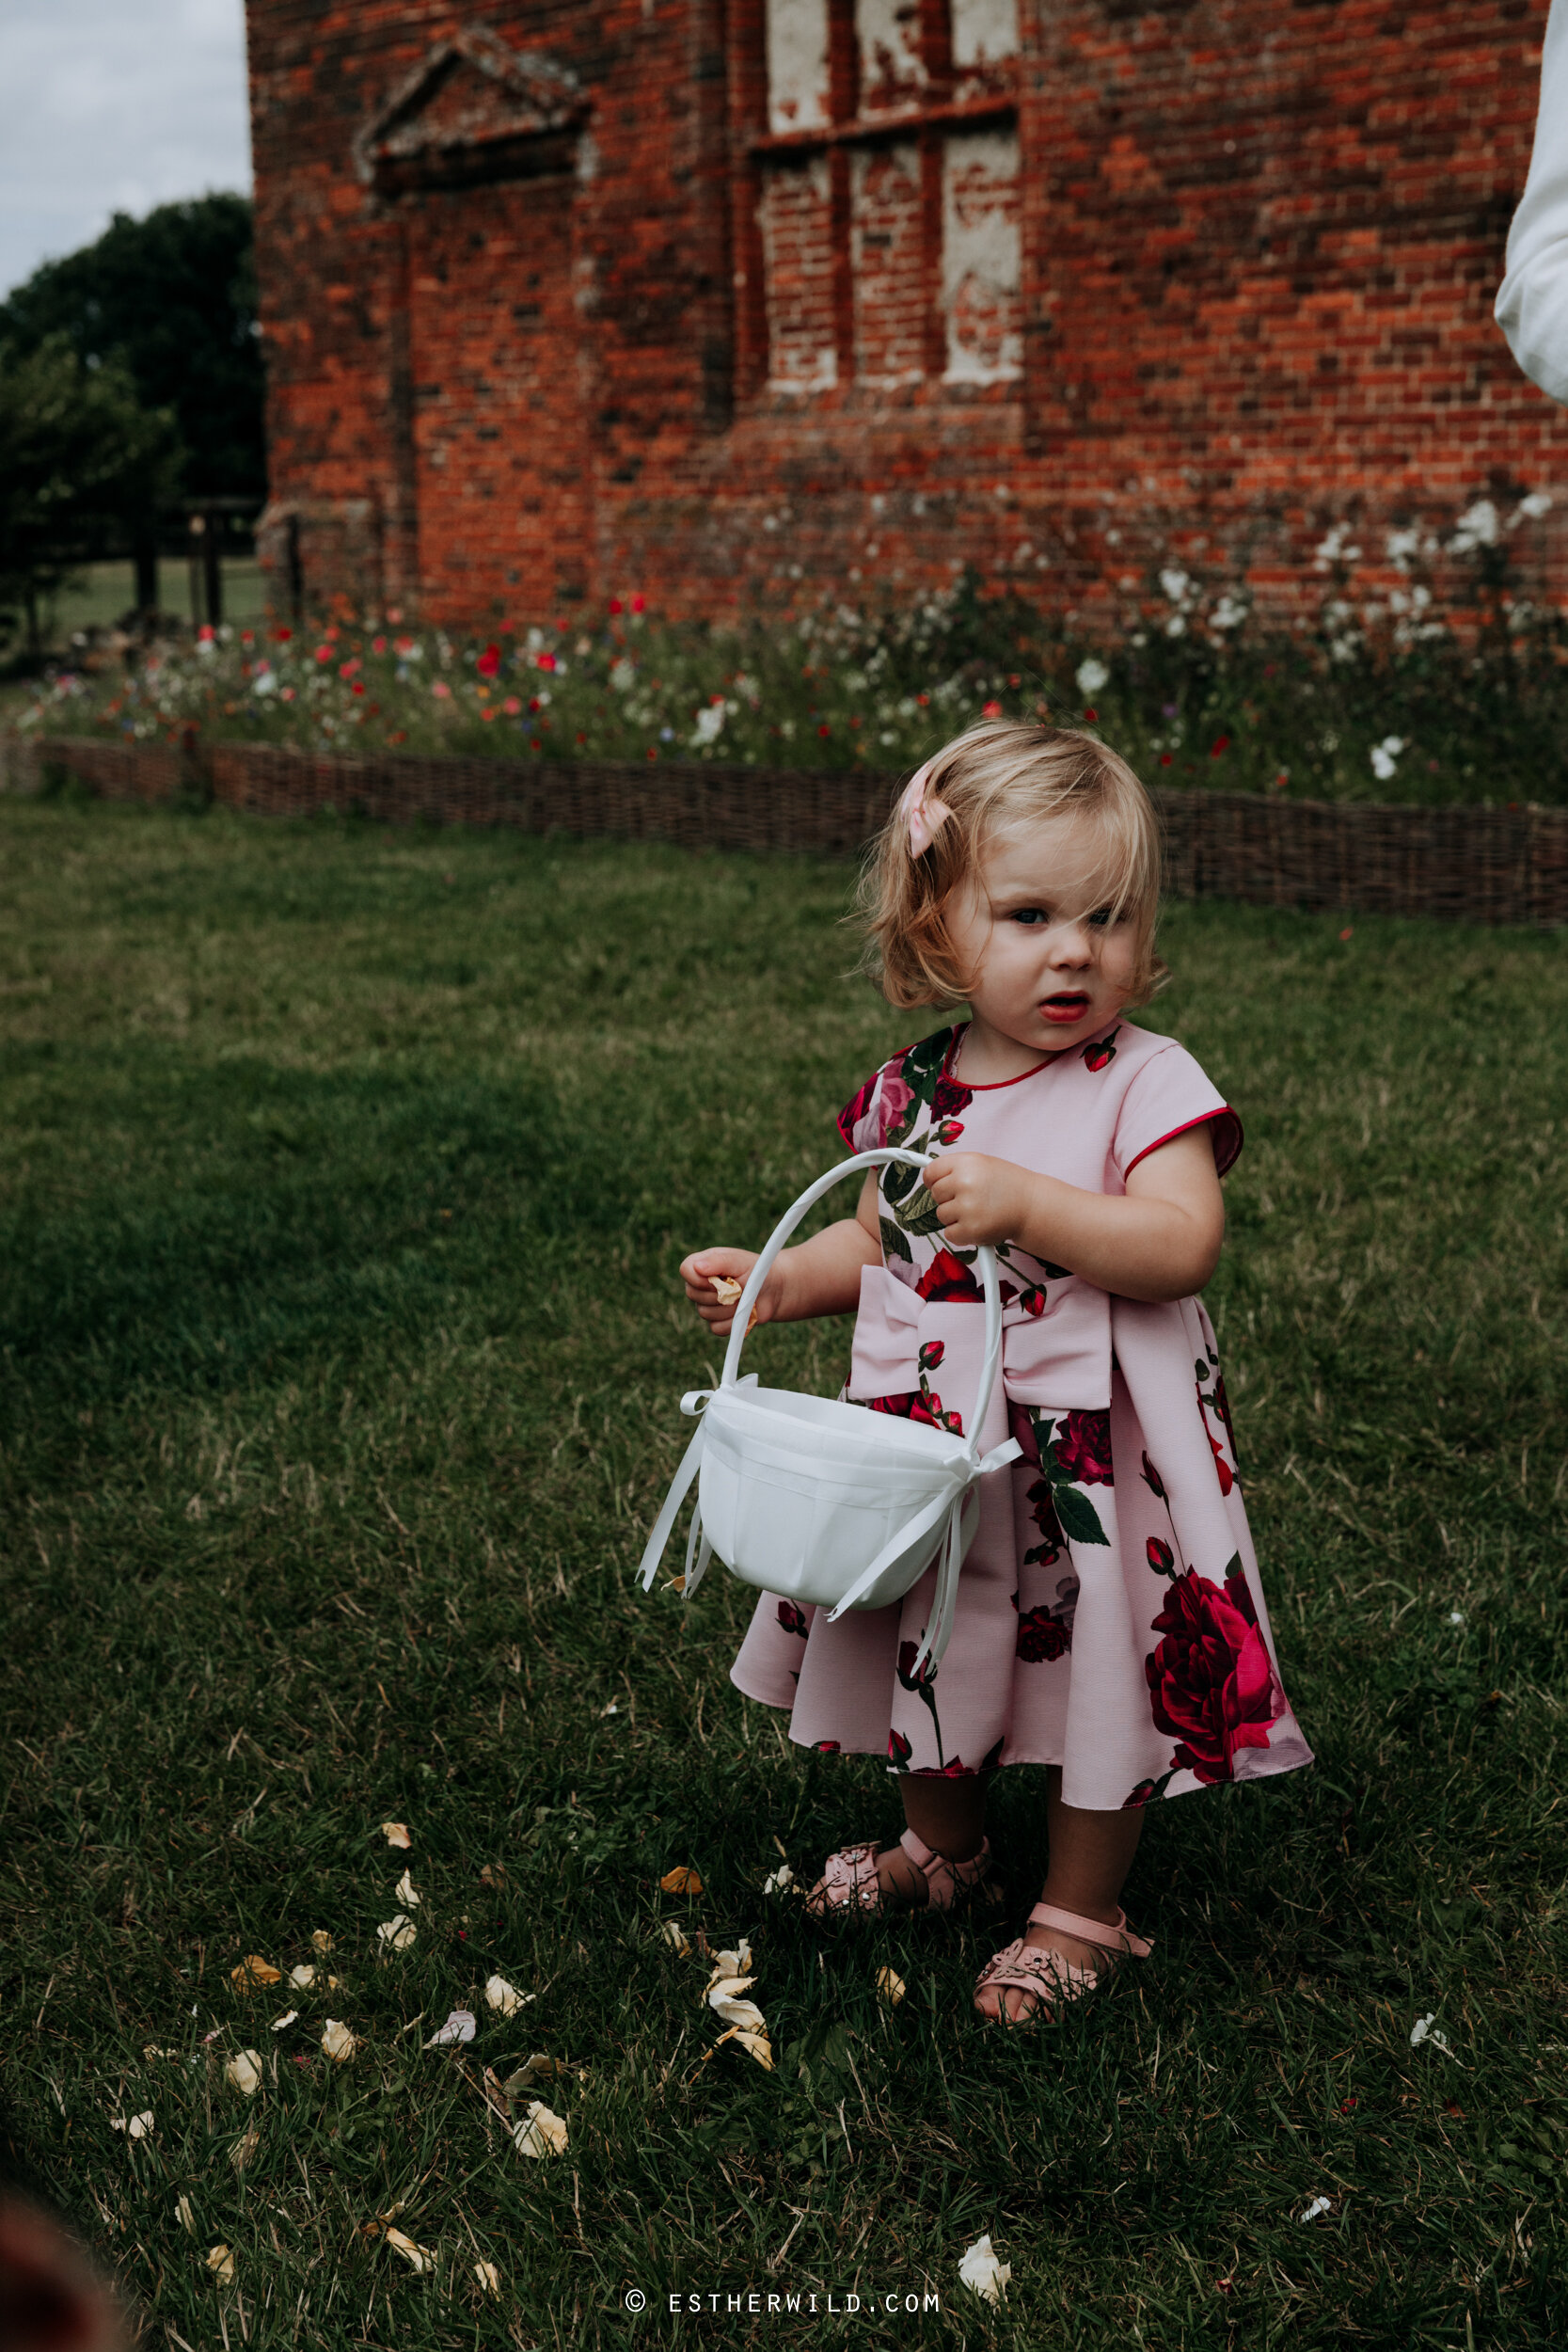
<point x="1111" y="1615"/>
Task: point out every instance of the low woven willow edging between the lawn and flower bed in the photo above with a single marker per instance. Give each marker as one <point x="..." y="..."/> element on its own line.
<point x="1461" y="864"/>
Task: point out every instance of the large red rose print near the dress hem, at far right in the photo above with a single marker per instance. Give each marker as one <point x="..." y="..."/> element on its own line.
<point x="1212" y="1681"/>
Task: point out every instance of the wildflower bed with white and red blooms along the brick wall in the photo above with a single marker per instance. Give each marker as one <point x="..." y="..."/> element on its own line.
<point x="1430" y="683"/>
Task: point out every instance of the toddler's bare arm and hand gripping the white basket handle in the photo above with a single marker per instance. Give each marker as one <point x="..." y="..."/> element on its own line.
<point x="1160" y="1241"/>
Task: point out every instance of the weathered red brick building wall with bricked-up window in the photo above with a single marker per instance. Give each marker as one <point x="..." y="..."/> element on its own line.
<point x="735" y="300"/>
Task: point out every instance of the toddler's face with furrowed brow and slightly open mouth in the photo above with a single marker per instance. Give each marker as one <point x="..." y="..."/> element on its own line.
<point x="1050" y="963"/>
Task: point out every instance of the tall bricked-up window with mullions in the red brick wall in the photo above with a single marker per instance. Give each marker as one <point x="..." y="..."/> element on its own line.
<point x="878" y="201"/>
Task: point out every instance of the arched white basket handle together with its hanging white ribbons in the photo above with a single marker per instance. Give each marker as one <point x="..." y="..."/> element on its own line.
<point x="953" y="1514"/>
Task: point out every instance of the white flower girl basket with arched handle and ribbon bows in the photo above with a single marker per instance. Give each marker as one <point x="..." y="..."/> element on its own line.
<point x="826" y="1502"/>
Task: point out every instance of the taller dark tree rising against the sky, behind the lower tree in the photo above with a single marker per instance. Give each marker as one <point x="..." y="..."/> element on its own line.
<point x="175" y="300"/>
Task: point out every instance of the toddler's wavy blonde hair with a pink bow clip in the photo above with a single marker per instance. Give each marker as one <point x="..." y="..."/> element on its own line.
<point x="993" y="780"/>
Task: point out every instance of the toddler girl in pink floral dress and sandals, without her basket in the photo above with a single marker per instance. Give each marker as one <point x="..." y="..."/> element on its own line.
<point x="1111" y="1622"/>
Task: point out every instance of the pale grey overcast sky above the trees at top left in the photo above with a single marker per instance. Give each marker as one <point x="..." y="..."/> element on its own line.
<point x="114" y="107"/>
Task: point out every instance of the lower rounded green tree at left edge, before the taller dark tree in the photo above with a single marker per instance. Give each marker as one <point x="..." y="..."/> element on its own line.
<point x="81" y="462"/>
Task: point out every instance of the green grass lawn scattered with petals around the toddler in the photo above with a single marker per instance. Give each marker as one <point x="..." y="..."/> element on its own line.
<point x="344" y="1177"/>
